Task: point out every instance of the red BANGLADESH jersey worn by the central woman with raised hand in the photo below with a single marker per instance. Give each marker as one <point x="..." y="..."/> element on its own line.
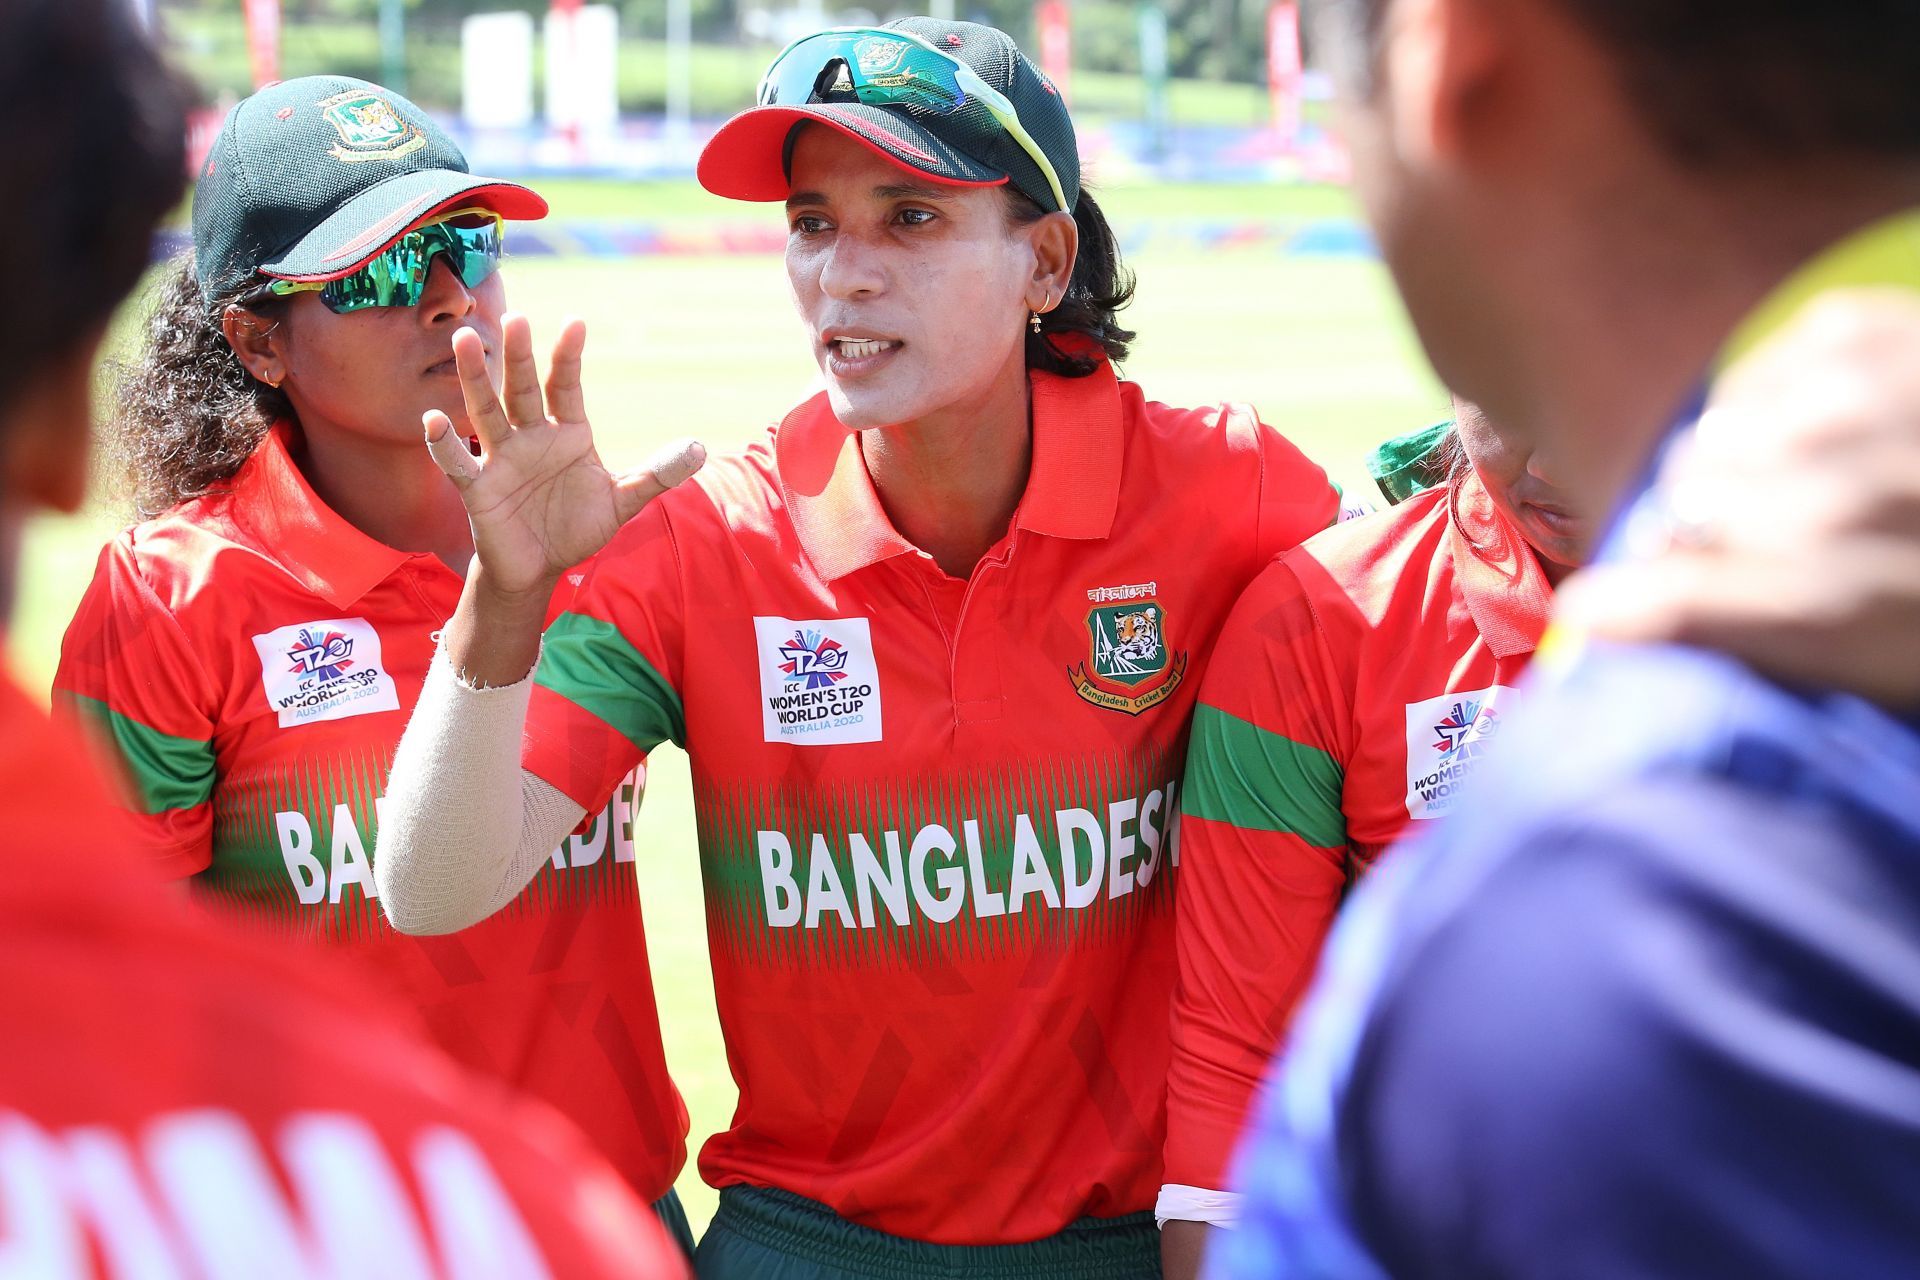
<point x="936" y="815"/>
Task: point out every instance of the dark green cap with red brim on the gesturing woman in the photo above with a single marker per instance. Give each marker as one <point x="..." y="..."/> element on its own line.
<point x="752" y="154"/>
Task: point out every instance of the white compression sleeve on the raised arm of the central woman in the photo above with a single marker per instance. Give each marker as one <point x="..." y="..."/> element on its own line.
<point x="456" y="788"/>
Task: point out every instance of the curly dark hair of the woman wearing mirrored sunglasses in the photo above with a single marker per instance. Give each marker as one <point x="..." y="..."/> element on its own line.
<point x="189" y="412"/>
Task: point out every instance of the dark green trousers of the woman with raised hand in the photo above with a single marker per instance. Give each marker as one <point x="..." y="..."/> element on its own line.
<point x="769" y="1235"/>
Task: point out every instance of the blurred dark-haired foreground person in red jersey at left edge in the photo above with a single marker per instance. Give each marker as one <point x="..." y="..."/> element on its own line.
<point x="178" y="1101"/>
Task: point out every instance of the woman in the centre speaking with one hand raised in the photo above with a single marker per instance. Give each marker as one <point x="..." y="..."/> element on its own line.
<point x="932" y="648"/>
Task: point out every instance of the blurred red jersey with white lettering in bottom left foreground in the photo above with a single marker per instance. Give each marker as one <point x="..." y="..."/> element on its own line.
<point x="180" y="1099"/>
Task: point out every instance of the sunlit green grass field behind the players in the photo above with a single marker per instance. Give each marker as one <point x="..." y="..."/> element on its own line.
<point x="711" y="348"/>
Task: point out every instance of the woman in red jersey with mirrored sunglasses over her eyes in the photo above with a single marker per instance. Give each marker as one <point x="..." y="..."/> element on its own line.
<point x="252" y="650"/>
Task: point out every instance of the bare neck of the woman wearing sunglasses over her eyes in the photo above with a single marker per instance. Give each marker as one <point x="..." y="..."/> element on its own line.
<point x="391" y="492"/>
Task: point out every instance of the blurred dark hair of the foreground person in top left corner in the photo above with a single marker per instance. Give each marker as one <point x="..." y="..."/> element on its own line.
<point x="93" y="162"/>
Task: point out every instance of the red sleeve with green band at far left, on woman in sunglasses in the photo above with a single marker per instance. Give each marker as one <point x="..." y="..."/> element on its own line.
<point x="132" y="682"/>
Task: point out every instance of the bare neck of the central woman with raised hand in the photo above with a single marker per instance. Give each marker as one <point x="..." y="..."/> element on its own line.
<point x="951" y="481"/>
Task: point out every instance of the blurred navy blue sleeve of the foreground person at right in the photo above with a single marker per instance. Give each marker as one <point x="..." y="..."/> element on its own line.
<point x="1669" y="1039"/>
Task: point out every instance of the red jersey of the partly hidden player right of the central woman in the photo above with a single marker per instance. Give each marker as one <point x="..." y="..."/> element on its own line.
<point x="1355" y="690"/>
